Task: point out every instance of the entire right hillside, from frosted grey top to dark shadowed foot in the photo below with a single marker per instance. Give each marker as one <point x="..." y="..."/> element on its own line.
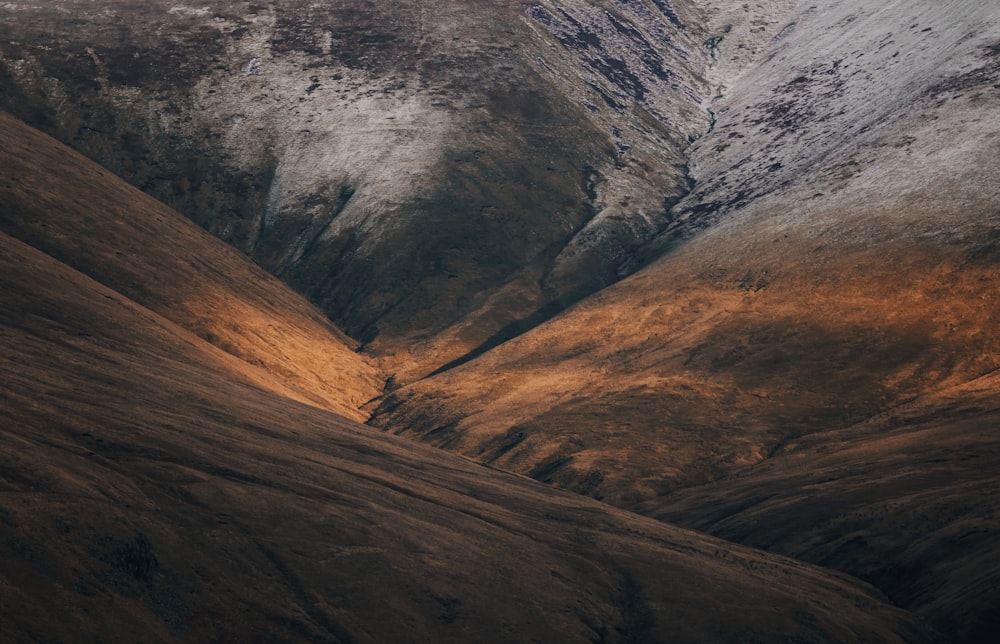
<point x="847" y="265"/>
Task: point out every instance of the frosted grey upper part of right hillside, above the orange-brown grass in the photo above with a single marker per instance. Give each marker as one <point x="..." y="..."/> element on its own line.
<point x="855" y="105"/>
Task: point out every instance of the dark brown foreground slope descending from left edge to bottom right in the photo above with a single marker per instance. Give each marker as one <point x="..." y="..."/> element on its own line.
<point x="149" y="489"/>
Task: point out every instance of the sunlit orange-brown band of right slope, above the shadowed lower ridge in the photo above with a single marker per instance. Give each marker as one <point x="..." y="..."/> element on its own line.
<point x="676" y="377"/>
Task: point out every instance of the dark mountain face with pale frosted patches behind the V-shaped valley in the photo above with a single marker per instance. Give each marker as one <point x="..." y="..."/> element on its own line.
<point x="447" y="174"/>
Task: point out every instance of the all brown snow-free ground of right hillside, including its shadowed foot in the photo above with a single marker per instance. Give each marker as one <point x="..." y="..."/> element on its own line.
<point x="650" y="390"/>
